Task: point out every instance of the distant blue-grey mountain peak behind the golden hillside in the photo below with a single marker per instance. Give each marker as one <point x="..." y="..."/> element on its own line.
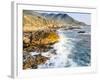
<point x="63" y="18"/>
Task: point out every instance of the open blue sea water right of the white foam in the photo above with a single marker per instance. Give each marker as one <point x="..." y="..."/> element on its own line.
<point x="81" y="53"/>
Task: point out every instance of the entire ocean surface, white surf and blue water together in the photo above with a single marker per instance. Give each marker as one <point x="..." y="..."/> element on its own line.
<point x="72" y="50"/>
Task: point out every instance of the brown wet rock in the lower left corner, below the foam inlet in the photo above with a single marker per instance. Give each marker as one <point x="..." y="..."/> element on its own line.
<point x="33" y="62"/>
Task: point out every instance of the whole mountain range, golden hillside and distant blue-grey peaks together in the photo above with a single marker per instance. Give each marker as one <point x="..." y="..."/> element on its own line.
<point x="33" y="21"/>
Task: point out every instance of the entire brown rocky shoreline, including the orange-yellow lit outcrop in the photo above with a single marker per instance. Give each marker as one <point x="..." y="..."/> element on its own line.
<point x="39" y="41"/>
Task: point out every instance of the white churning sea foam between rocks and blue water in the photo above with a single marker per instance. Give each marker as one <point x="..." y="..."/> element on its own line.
<point x="60" y="59"/>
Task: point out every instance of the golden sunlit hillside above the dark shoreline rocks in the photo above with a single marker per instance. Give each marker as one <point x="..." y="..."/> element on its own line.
<point x="34" y="22"/>
